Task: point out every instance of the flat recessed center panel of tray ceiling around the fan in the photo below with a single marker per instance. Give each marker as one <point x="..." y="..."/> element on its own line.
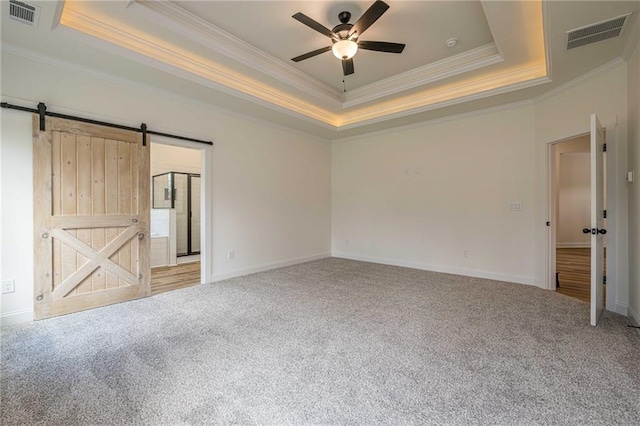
<point x="268" y="26"/>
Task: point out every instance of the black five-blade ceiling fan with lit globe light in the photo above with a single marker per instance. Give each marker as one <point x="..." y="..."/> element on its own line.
<point x="344" y="36"/>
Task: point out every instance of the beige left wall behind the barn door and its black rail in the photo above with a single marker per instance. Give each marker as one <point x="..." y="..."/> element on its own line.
<point x="271" y="186"/>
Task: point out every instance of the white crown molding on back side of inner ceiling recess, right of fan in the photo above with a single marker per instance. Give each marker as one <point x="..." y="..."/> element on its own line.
<point x="467" y="61"/>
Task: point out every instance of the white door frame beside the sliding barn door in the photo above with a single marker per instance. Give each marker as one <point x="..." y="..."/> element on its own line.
<point x="206" y="200"/>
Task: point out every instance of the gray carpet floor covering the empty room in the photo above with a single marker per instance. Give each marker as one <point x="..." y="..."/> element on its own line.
<point x="327" y="342"/>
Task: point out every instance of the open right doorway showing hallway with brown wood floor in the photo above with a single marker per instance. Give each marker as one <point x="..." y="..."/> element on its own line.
<point x="570" y="198"/>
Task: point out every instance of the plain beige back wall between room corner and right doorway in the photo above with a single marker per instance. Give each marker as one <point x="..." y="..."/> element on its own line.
<point x="436" y="196"/>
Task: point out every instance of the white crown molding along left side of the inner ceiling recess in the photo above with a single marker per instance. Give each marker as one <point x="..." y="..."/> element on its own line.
<point x="191" y="26"/>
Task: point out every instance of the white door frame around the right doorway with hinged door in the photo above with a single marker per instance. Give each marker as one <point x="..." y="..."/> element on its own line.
<point x="612" y="263"/>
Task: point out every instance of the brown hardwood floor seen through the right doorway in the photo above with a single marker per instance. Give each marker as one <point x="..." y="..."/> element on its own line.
<point x="574" y="272"/>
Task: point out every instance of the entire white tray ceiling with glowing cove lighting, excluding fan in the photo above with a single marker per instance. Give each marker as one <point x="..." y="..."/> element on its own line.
<point x="236" y="54"/>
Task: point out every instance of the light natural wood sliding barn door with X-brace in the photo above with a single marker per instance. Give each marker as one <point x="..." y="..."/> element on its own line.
<point x="91" y="216"/>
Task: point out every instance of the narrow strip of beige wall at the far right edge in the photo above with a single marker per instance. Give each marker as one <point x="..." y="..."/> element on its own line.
<point x="634" y="188"/>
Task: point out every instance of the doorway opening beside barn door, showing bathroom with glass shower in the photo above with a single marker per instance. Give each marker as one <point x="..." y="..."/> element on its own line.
<point x="177" y="200"/>
